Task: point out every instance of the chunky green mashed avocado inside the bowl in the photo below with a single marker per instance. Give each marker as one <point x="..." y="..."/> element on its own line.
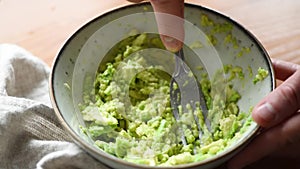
<point x="142" y="129"/>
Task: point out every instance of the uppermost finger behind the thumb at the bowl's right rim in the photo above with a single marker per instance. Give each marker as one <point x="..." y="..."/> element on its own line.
<point x="284" y="69"/>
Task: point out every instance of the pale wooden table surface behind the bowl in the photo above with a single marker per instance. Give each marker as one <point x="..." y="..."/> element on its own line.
<point x="41" y="26"/>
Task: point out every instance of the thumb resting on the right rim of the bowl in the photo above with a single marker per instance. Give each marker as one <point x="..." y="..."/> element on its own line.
<point x="279" y="104"/>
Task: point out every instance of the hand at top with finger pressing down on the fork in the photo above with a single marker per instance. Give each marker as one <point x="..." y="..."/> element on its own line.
<point x="170" y="26"/>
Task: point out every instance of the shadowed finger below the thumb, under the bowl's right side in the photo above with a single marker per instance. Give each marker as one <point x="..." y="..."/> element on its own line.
<point x="268" y="142"/>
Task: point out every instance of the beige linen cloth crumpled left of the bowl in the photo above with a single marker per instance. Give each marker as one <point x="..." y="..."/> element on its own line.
<point x="30" y="134"/>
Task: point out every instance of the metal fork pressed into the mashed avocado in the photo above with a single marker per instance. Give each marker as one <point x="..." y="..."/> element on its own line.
<point x="185" y="89"/>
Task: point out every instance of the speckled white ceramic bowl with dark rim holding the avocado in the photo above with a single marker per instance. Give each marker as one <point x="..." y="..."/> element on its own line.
<point x="224" y="40"/>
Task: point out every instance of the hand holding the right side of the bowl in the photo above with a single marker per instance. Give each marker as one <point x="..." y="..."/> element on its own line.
<point x="279" y="115"/>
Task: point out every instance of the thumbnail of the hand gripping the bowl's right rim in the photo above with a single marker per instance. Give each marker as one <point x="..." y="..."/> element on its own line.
<point x="266" y="112"/>
